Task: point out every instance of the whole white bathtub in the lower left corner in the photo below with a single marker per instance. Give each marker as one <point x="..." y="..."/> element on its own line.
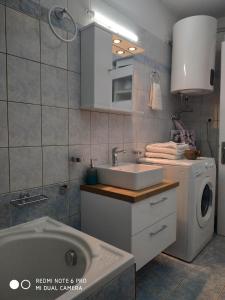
<point x="45" y="259"/>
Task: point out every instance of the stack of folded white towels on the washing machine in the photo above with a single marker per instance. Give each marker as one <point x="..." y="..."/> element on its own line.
<point x="168" y="150"/>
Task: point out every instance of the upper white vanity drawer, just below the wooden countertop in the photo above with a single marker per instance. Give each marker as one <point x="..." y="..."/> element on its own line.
<point x="147" y="212"/>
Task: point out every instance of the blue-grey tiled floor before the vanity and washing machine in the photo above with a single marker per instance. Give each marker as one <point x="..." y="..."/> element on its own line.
<point x="166" y="278"/>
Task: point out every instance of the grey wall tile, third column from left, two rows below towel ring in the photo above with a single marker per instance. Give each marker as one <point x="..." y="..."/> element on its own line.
<point x="54" y="126"/>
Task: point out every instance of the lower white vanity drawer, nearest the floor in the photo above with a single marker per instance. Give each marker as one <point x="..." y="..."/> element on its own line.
<point x="153" y="240"/>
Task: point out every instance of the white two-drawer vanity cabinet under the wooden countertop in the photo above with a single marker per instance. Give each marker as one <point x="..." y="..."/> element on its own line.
<point x="144" y="227"/>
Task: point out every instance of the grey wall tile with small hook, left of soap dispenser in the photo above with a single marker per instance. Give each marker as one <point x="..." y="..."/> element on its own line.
<point x="77" y="170"/>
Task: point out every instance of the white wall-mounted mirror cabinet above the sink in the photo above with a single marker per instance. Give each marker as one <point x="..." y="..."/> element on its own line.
<point x="105" y="85"/>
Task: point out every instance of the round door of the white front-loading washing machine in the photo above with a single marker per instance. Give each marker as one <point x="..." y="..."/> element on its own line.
<point x="205" y="203"/>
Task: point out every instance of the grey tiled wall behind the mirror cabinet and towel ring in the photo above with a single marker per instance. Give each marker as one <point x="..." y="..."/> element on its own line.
<point x="41" y="125"/>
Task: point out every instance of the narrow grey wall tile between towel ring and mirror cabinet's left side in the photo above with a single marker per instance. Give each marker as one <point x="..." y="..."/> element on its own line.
<point x="74" y="55"/>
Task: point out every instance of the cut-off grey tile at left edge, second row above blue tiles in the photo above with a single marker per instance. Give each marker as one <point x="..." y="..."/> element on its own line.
<point x="3" y="124"/>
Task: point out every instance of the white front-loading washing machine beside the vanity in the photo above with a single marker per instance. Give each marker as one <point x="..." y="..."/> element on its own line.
<point x="195" y="203"/>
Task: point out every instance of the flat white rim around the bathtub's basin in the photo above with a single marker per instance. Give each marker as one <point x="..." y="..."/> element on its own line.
<point x="96" y="281"/>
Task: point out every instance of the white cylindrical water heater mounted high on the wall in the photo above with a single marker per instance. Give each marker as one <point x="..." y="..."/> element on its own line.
<point x="193" y="55"/>
